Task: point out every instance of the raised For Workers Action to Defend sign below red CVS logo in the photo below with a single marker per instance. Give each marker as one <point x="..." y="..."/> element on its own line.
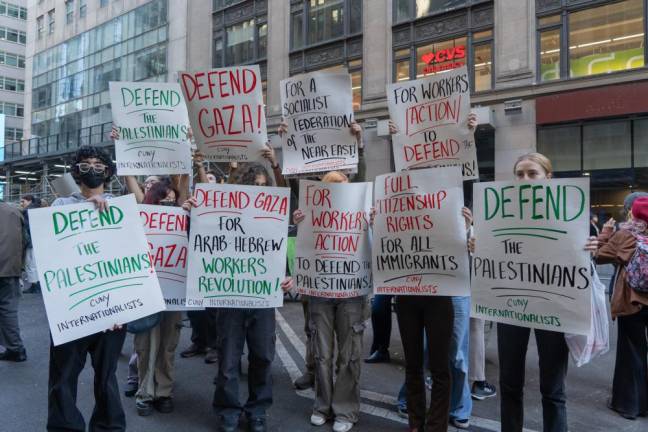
<point x="431" y="115"/>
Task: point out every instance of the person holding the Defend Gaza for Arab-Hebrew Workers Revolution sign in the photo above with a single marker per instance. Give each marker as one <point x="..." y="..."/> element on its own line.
<point x="236" y="327"/>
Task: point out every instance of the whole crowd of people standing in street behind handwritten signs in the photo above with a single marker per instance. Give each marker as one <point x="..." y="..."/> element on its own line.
<point x="444" y="348"/>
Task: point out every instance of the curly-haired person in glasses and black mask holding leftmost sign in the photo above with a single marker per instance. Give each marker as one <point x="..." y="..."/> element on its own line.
<point x="93" y="168"/>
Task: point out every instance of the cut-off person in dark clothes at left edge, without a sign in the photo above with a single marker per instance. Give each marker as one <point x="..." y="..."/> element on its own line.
<point x="13" y="242"/>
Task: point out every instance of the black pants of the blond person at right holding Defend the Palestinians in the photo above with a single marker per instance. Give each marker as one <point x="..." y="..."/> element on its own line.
<point x="553" y="355"/>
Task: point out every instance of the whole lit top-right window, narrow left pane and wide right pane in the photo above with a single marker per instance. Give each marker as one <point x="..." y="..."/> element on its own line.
<point x="597" y="40"/>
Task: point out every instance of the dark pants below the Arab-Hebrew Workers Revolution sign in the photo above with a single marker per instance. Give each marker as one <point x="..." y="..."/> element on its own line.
<point x="257" y="328"/>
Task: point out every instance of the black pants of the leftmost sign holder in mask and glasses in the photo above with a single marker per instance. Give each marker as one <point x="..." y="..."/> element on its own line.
<point x="66" y="363"/>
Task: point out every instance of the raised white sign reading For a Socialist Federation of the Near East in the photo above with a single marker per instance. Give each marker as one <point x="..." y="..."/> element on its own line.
<point x="318" y="109"/>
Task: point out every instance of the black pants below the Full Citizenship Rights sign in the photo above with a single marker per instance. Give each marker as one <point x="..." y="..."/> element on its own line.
<point x="432" y="317"/>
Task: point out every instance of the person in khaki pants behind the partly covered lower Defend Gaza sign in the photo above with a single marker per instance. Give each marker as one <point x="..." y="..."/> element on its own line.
<point x="156" y="347"/>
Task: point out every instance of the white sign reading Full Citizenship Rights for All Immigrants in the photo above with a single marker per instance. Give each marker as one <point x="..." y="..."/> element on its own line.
<point x="420" y="234"/>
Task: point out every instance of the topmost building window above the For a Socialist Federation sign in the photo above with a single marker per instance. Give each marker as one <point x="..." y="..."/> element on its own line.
<point x="326" y="20"/>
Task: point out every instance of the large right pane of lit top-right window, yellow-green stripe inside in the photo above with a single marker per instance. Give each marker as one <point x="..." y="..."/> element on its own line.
<point x="607" y="38"/>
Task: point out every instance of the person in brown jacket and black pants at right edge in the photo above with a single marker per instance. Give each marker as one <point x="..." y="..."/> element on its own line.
<point x="630" y="306"/>
